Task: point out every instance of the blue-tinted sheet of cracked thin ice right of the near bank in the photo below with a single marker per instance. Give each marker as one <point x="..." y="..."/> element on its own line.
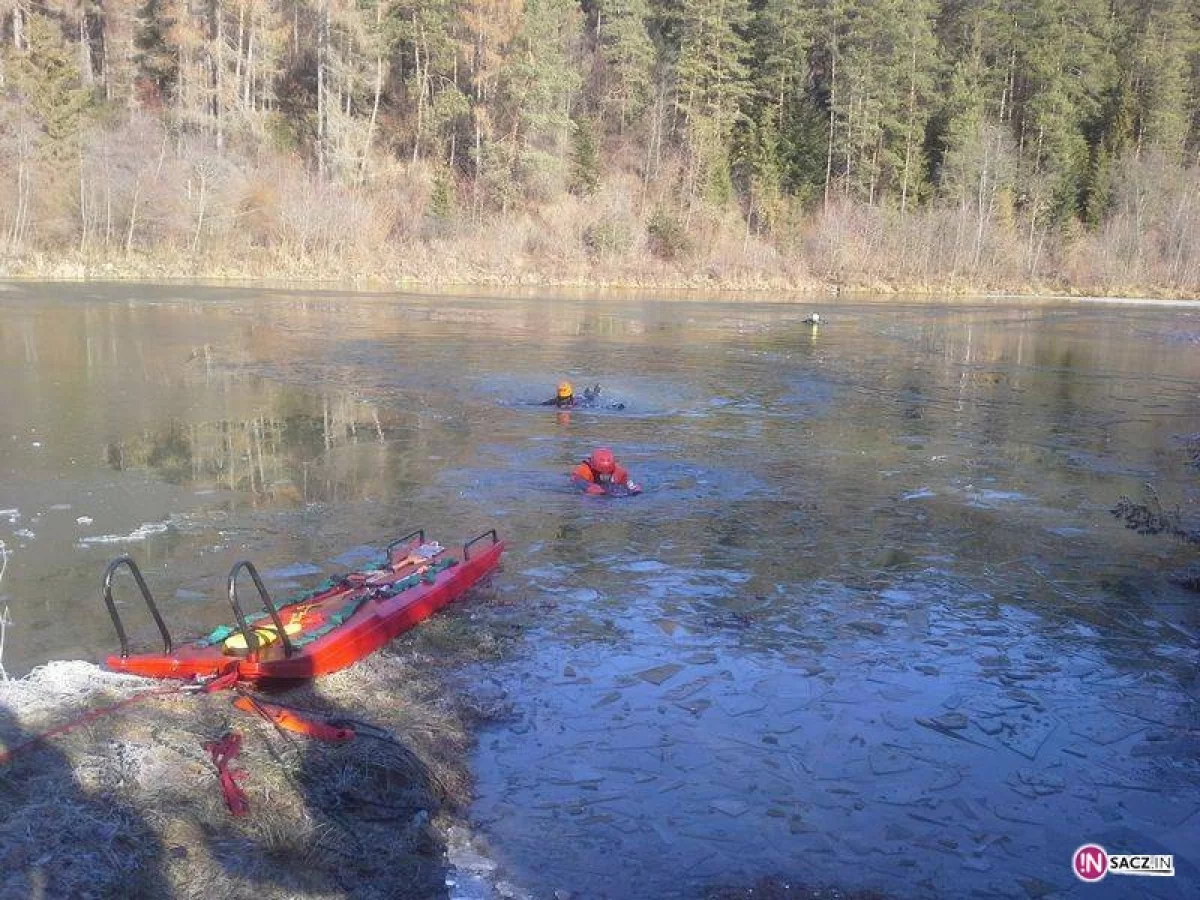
<point x="682" y="761"/>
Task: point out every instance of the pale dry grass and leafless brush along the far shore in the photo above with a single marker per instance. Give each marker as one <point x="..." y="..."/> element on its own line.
<point x="151" y="211"/>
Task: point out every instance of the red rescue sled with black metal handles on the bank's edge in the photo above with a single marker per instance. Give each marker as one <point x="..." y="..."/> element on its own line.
<point x="329" y="629"/>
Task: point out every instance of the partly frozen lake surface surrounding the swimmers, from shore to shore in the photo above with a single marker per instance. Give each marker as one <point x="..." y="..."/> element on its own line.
<point x="871" y="625"/>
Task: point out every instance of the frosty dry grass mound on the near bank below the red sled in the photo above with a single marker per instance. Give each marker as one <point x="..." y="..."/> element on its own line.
<point x="130" y="806"/>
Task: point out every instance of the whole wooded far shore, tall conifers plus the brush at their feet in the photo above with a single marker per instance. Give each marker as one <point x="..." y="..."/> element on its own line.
<point x="861" y="145"/>
